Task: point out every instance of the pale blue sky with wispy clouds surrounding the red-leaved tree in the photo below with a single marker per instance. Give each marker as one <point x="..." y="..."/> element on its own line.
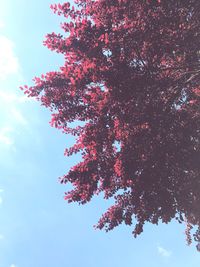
<point x="37" y="227"/>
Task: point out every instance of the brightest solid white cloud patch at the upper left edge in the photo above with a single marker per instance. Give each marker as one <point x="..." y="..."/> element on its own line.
<point x="9" y="63"/>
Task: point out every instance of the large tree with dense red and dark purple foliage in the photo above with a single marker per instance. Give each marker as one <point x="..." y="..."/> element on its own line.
<point x="132" y="76"/>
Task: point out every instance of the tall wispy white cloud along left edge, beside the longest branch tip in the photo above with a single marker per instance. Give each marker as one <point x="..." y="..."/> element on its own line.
<point x="11" y="101"/>
